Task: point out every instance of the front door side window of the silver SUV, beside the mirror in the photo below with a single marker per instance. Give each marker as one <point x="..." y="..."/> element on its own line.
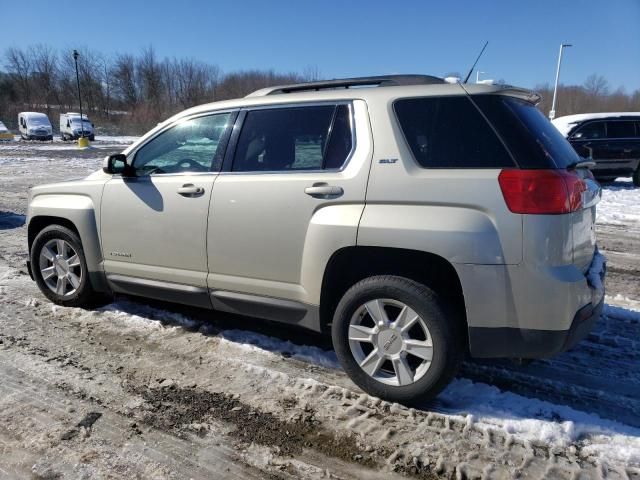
<point x="193" y="145"/>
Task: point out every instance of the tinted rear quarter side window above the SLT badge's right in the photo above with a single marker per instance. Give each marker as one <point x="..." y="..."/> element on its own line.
<point x="449" y="132"/>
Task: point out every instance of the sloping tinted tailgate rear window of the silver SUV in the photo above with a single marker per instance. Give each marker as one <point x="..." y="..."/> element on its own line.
<point x="530" y="136"/>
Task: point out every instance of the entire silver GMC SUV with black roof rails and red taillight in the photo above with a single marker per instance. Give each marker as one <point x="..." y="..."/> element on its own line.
<point x="415" y="220"/>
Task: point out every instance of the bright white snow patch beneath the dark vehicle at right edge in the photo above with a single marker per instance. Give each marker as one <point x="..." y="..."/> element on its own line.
<point x="620" y="204"/>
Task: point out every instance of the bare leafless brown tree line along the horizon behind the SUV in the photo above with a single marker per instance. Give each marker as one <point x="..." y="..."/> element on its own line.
<point x="131" y="93"/>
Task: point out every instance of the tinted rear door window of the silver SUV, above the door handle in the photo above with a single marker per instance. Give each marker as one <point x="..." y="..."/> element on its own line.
<point x="302" y="138"/>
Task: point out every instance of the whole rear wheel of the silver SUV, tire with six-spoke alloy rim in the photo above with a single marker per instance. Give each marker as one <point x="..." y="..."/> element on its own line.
<point x="444" y="331"/>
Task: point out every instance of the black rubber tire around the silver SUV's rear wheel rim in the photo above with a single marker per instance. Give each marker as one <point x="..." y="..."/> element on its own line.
<point x="445" y="331"/>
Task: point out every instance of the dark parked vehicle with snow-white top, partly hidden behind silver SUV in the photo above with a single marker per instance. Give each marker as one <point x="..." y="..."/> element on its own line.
<point x="612" y="140"/>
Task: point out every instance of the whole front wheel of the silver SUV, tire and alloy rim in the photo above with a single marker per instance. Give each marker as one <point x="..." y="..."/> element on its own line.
<point x="79" y="295"/>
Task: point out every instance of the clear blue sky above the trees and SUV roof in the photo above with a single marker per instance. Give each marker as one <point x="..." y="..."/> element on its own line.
<point x="343" y="38"/>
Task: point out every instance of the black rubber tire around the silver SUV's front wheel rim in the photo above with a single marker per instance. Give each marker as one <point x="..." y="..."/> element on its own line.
<point x="84" y="295"/>
